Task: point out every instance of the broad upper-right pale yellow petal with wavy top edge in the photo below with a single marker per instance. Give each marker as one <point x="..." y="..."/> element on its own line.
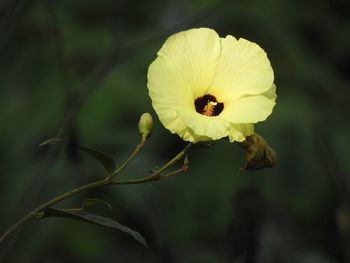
<point x="243" y="68"/>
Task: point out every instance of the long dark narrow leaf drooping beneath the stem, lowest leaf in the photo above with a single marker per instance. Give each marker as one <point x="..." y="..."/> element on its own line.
<point x="94" y="219"/>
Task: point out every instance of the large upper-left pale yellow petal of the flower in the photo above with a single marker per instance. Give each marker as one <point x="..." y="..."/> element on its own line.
<point x="184" y="67"/>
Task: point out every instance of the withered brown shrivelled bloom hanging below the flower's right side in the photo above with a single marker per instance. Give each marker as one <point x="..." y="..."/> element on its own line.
<point x="258" y="153"/>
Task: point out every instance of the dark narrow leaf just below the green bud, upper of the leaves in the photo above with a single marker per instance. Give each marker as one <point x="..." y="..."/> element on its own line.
<point x="105" y="159"/>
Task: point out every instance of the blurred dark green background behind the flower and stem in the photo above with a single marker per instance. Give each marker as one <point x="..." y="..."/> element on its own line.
<point x="77" y="69"/>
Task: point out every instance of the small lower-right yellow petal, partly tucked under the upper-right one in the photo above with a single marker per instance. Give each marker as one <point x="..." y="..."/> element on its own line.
<point x="250" y="109"/>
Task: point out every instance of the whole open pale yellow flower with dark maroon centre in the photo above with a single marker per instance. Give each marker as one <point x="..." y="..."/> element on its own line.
<point x="204" y="87"/>
